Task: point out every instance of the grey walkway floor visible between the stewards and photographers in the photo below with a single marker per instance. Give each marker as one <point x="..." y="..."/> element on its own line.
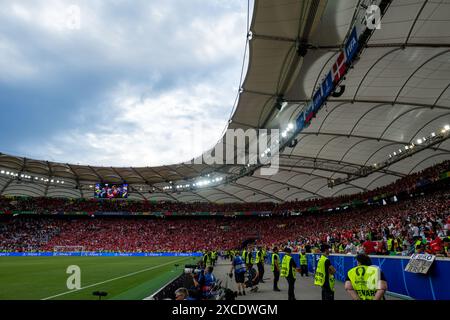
<point x="304" y="287"/>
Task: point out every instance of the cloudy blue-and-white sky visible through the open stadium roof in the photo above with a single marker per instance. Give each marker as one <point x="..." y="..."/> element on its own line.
<point x="112" y="82"/>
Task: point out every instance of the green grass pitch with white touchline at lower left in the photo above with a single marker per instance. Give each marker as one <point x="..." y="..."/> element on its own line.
<point x="123" y="278"/>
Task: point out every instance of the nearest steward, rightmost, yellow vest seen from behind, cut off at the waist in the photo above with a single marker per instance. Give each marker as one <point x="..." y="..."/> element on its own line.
<point x="365" y="282"/>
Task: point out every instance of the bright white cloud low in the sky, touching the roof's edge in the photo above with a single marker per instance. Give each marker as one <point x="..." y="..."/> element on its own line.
<point x="170" y="128"/>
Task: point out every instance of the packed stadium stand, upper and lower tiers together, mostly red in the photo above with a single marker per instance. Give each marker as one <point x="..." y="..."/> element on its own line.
<point x="417" y="215"/>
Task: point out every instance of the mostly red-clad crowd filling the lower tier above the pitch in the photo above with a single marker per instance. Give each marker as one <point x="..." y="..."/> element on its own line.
<point x="350" y="231"/>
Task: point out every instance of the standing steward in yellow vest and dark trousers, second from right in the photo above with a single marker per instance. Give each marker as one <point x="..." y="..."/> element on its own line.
<point x="324" y="276"/>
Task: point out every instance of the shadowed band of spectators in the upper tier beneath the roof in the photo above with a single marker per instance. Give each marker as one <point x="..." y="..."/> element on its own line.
<point x="54" y="205"/>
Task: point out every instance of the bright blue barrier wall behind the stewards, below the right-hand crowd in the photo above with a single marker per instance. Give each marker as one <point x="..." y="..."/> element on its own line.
<point x="435" y="285"/>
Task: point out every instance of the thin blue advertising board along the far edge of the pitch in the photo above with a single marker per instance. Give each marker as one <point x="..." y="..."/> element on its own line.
<point x="99" y="254"/>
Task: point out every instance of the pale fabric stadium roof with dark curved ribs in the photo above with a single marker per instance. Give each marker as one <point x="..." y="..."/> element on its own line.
<point x="397" y="92"/>
